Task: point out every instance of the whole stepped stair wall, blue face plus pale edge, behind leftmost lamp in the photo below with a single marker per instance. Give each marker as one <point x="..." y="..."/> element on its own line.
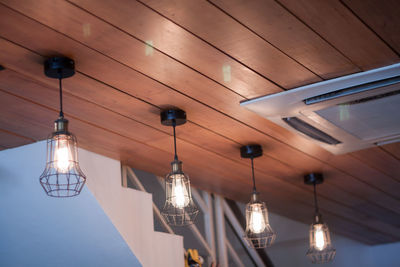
<point x="106" y="225"/>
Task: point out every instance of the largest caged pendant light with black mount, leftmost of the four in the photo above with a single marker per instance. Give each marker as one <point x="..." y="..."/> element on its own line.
<point x="62" y="176"/>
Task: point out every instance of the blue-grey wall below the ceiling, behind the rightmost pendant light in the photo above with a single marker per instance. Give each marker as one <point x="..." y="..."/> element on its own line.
<point x="292" y="243"/>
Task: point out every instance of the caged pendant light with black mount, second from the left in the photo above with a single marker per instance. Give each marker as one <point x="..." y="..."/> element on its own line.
<point x="179" y="208"/>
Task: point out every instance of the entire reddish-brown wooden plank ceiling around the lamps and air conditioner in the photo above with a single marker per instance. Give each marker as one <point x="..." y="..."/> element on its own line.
<point x="134" y="58"/>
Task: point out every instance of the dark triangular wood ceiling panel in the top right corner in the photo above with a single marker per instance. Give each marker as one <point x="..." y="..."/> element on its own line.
<point x="382" y="16"/>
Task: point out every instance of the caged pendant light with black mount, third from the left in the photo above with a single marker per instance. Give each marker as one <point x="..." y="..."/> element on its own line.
<point x="259" y="233"/>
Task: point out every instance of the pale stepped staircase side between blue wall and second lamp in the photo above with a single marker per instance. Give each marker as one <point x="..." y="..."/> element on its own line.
<point x="131" y="212"/>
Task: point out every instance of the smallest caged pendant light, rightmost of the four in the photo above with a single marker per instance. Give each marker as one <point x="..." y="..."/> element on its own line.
<point x="321" y="249"/>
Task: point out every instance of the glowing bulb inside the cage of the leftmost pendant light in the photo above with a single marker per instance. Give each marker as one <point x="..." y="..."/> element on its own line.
<point x="62" y="155"/>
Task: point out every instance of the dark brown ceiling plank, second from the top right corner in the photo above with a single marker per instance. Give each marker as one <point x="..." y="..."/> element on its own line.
<point x="336" y="24"/>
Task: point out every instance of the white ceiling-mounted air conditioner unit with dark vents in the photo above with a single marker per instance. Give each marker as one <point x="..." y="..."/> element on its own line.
<point x="343" y="114"/>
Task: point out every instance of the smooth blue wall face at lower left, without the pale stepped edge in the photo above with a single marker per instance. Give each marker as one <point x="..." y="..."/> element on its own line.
<point x="37" y="230"/>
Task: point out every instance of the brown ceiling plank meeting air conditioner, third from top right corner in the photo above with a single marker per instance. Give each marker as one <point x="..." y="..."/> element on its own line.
<point x="270" y="20"/>
